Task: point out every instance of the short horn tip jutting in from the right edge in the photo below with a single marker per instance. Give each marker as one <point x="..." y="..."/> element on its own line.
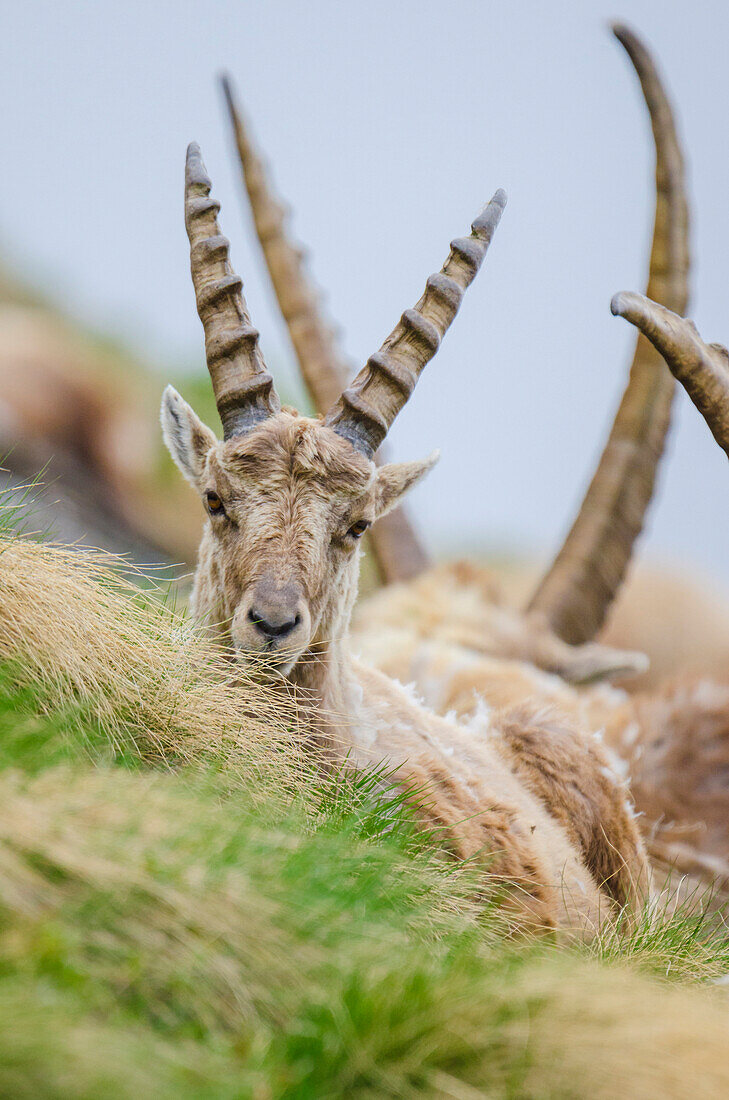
<point x="702" y="369"/>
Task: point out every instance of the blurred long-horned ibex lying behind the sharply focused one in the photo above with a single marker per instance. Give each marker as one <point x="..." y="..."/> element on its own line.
<point x="447" y="630"/>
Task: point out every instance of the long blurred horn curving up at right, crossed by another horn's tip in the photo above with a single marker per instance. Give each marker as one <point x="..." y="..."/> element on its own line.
<point x="578" y="590"/>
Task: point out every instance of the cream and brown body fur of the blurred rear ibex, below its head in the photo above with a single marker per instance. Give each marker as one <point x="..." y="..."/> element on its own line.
<point x="673" y="744"/>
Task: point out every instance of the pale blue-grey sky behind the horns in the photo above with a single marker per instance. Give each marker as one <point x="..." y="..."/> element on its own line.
<point x="388" y="126"/>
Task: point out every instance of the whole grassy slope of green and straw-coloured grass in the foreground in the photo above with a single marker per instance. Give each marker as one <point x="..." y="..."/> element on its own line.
<point x="193" y="916"/>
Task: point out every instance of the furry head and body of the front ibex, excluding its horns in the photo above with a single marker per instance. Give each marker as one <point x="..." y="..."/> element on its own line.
<point x="289" y="501"/>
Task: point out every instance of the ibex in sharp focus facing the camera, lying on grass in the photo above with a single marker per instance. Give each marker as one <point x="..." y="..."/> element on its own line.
<point x="288" y="501"/>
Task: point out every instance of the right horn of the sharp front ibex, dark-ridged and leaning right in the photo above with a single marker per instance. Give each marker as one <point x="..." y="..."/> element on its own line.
<point x="367" y="410"/>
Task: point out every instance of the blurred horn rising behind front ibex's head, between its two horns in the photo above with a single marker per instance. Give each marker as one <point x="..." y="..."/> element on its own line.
<point x="397" y="551"/>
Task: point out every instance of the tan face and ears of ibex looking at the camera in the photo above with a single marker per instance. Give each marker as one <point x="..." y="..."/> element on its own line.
<point x="288" y="505"/>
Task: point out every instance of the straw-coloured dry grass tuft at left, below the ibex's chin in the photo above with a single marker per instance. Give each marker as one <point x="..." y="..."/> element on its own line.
<point x="89" y="642"/>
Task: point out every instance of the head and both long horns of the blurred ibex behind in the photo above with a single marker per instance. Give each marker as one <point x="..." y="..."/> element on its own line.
<point x="571" y="602"/>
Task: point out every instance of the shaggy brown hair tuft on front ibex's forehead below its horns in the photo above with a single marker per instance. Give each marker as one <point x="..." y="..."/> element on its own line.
<point x="300" y="446"/>
